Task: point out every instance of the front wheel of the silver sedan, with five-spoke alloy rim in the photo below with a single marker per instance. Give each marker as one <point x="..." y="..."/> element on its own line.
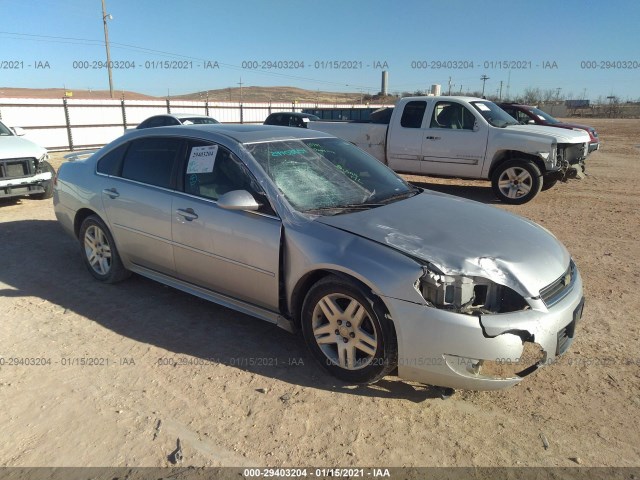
<point x="346" y="330"/>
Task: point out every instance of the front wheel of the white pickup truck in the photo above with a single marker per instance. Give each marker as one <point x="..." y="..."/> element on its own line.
<point x="516" y="181"/>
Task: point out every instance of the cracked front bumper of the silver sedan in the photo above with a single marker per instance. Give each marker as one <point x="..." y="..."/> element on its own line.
<point x="484" y="351"/>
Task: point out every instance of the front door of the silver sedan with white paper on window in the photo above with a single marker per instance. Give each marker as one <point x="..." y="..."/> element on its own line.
<point x="236" y="253"/>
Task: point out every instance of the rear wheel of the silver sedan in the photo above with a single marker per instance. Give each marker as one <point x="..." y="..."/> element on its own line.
<point x="99" y="252"/>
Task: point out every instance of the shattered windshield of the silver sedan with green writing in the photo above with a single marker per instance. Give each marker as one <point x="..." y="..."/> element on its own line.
<point x="328" y="175"/>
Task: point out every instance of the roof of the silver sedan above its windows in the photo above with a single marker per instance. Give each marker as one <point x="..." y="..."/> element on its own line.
<point x="241" y="133"/>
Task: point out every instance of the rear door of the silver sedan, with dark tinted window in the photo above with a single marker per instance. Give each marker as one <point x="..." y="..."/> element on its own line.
<point x="137" y="199"/>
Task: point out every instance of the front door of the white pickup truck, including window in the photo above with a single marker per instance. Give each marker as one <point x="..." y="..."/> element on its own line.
<point x="455" y="142"/>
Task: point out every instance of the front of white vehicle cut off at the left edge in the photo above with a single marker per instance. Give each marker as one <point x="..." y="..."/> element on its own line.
<point x="24" y="169"/>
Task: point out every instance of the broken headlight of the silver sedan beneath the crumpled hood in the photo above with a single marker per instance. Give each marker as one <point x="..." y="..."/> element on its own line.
<point x="470" y="295"/>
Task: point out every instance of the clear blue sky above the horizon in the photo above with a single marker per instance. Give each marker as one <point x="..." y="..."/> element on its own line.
<point x="561" y="35"/>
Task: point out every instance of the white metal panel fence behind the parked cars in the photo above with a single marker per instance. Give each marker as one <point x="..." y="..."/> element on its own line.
<point x="73" y="124"/>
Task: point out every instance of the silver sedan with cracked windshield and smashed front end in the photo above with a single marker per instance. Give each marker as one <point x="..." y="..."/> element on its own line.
<point x="306" y="231"/>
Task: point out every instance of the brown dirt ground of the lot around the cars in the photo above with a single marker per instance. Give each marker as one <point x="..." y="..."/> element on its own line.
<point x="117" y="361"/>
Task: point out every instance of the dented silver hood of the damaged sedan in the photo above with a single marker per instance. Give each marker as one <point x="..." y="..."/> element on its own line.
<point x="463" y="237"/>
